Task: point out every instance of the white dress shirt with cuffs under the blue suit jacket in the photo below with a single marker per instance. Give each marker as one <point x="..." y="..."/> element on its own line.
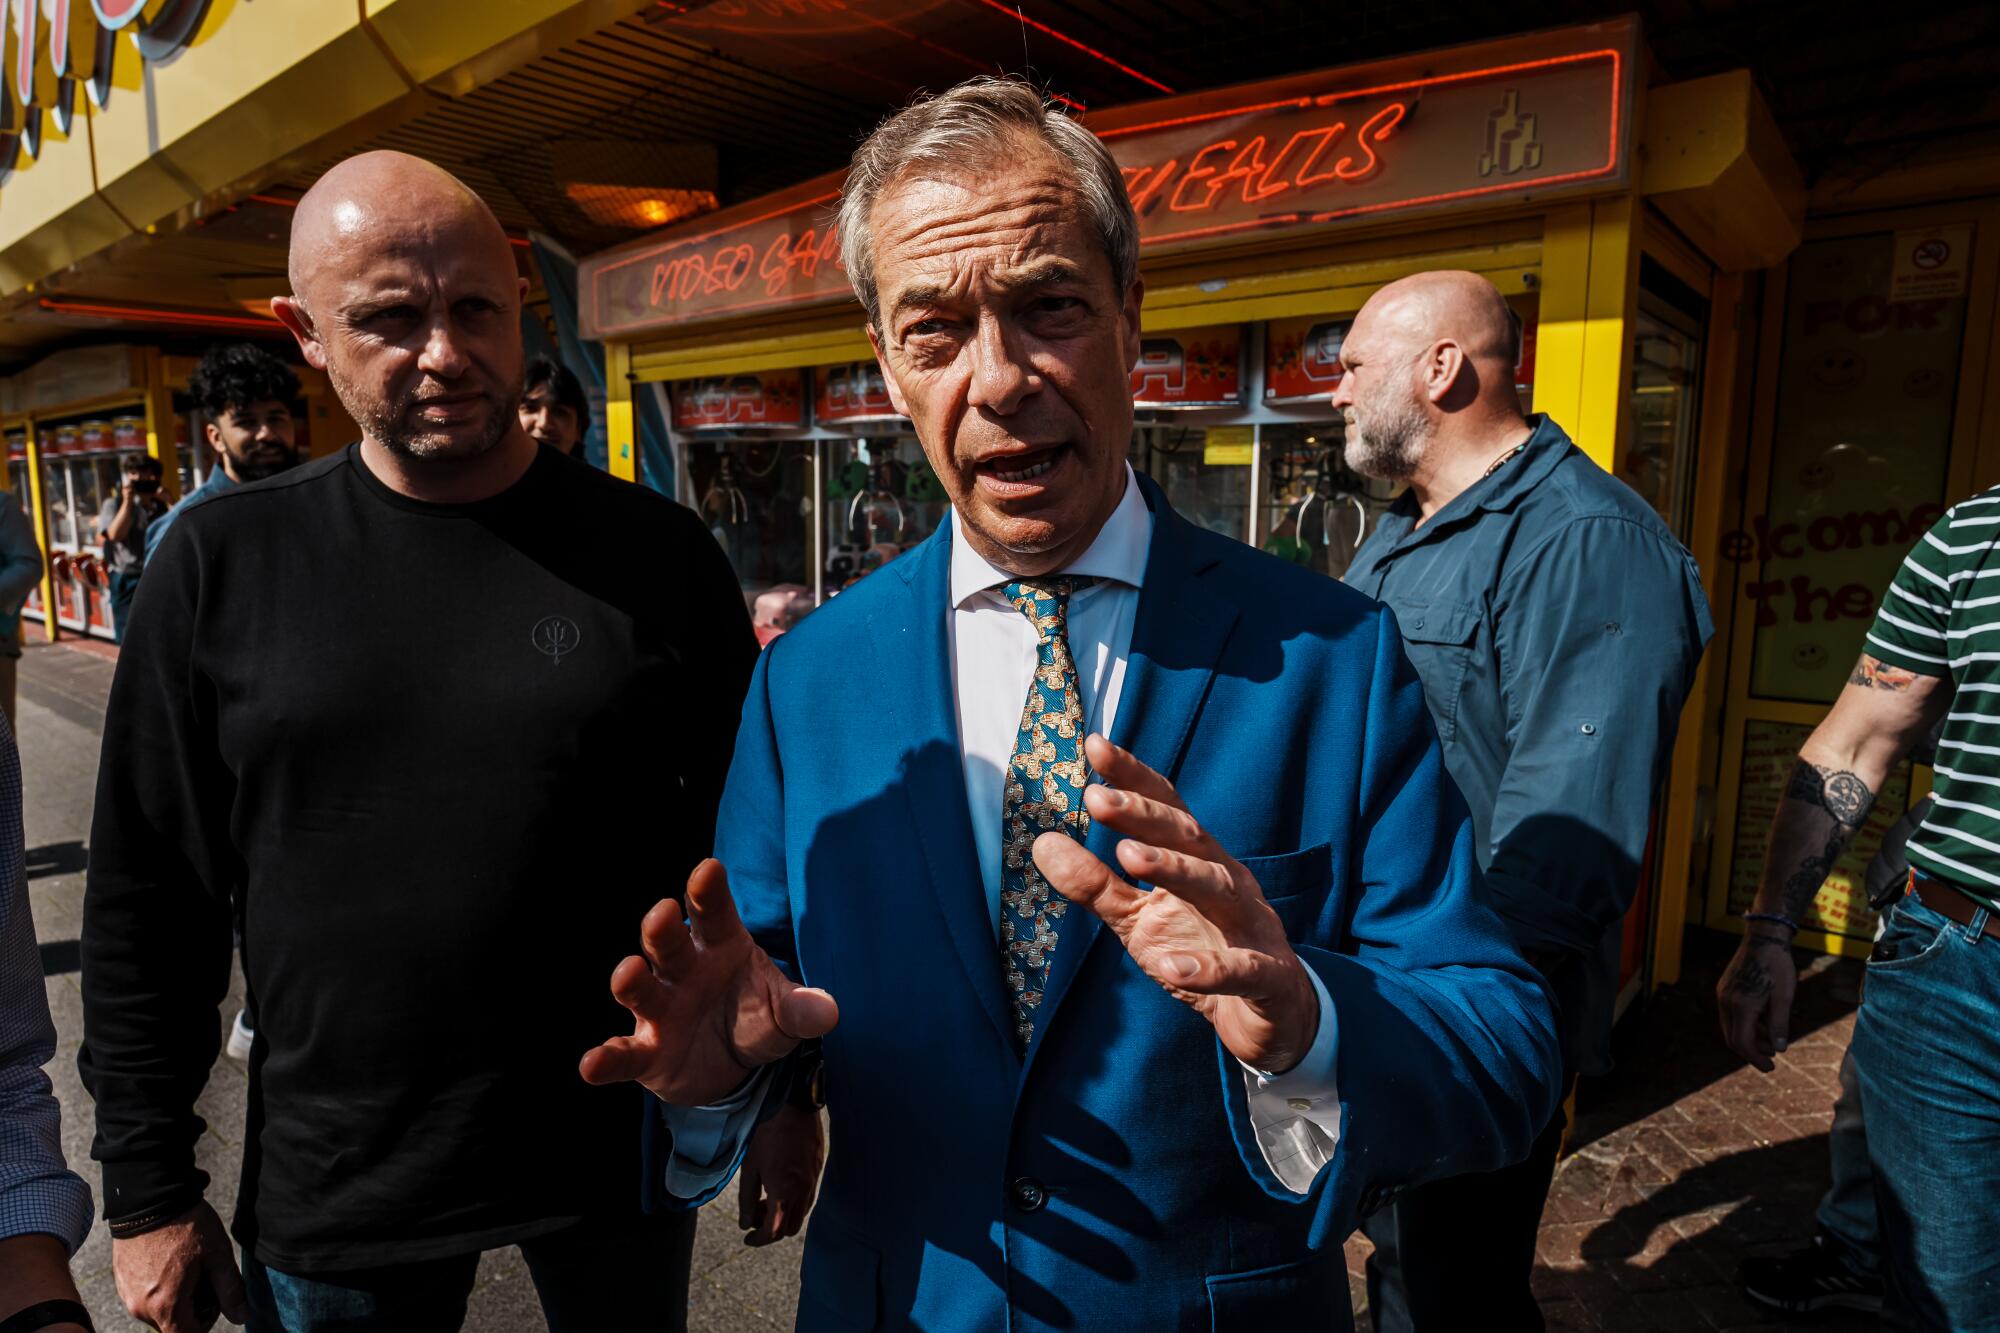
<point x="1297" y="1114"/>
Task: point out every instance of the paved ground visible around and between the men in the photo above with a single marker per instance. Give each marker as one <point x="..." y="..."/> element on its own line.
<point x="1683" y="1162"/>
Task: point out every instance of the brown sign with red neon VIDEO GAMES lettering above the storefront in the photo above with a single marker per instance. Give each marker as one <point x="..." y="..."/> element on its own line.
<point x="1525" y="117"/>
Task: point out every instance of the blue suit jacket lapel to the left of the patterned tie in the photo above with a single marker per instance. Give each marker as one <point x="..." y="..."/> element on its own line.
<point x="915" y="670"/>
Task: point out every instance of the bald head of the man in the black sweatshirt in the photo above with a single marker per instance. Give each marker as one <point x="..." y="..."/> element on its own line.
<point x="407" y="293"/>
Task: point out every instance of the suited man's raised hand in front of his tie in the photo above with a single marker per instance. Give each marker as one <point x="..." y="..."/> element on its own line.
<point x="1205" y="932"/>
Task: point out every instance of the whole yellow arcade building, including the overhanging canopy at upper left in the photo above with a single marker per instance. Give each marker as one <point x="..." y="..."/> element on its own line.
<point x="1791" y="367"/>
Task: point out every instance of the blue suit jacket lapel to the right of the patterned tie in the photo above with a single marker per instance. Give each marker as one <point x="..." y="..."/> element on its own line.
<point x="1177" y="641"/>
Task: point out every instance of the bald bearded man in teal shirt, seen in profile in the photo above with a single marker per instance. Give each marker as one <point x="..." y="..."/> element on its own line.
<point x="1557" y="625"/>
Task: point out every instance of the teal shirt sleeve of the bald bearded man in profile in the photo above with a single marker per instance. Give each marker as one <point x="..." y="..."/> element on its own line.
<point x="1597" y="637"/>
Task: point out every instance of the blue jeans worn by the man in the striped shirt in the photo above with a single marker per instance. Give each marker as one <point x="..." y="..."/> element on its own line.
<point x="1929" y="1058"/>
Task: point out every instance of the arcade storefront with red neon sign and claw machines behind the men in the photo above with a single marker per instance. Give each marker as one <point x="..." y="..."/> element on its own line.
<point x="1795" y="397"/>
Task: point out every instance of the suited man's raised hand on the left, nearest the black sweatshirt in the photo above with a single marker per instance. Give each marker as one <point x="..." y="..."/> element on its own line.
<point x="709" y="1008"/>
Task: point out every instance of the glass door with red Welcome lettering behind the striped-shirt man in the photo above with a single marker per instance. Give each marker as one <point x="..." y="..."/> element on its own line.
<point x="1867" y="419"/>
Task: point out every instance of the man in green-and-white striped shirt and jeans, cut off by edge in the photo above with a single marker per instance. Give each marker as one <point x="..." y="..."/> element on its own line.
<point x="1929" y="1038"/>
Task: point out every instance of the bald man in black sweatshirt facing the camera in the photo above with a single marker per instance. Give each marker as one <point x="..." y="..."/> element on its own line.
<point x="443" y="712"/>
